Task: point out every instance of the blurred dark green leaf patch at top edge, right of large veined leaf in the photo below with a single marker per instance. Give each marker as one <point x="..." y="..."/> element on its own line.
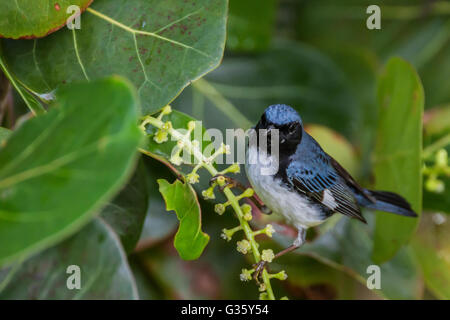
<point x="251" y="24"/>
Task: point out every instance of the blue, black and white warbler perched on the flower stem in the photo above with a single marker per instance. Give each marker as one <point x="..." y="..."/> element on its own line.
<point x="308" y="185"/>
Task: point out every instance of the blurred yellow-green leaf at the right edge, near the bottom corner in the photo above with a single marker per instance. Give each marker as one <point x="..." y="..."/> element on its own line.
<point x="431" y="246"/>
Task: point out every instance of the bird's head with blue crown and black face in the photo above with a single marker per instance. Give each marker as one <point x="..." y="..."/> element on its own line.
<point x="288" y="123"/>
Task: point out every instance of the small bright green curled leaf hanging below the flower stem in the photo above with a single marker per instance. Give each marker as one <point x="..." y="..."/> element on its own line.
<point x="180" y="197"/>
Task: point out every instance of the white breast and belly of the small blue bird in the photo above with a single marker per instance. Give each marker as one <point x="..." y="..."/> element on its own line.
<point x="291" y="205"/>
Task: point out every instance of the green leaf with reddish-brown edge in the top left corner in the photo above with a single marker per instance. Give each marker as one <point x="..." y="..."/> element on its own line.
<point x="33" y="19"/>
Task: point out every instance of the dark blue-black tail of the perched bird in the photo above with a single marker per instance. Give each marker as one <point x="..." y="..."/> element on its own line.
<point x="390" y="202"/>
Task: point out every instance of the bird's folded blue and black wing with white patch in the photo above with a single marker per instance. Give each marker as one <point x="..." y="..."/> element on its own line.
<point x="323" y="183"/>
